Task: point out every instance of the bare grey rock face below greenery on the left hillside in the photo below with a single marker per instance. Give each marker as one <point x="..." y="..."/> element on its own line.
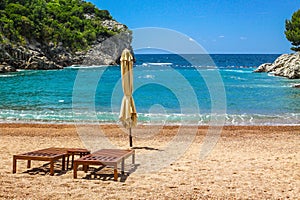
<point x="106" y="50"/>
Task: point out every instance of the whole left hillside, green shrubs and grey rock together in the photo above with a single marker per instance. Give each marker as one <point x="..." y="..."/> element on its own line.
<point x="52" y="34"/>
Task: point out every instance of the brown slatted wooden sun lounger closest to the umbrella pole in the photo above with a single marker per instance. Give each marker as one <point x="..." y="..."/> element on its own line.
<point x="105" y="157"/>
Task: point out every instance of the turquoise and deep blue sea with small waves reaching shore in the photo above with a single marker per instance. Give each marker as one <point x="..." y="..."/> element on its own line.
<point x="169" y="89"/>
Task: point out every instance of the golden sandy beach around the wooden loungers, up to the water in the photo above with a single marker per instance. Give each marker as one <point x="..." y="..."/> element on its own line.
<point x="248" y="162"/>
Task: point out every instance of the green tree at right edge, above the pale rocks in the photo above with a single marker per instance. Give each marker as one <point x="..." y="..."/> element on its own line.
<point x="292" y="32"/>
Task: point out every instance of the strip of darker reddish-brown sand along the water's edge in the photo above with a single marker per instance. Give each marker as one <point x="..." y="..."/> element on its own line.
<point x="153" y="130"/>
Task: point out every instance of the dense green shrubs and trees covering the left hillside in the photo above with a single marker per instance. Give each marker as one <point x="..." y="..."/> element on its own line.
<point x="74" y="24"/>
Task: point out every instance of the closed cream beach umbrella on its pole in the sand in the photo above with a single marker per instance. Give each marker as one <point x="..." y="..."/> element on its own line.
<point x="128" y="115"/>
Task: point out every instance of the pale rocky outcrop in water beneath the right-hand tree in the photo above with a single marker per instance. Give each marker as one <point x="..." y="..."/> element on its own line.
<point x="287" y="65"/>
